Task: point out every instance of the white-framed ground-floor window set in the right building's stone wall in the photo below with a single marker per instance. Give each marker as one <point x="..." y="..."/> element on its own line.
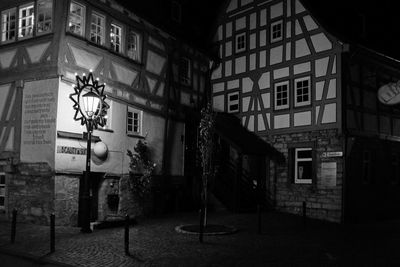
<point x="303" y="170"/>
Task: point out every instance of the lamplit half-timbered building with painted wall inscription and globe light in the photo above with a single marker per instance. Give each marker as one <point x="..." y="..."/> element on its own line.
<point x="155" y="82"/>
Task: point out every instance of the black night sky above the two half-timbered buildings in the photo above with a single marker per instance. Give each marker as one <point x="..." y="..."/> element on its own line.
<point x="342" y="18"/>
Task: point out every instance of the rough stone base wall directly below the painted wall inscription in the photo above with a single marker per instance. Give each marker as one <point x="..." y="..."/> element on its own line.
<point x="31" y="192"/>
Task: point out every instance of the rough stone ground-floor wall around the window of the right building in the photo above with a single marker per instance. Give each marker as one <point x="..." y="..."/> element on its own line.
<point x="323" y="202"/>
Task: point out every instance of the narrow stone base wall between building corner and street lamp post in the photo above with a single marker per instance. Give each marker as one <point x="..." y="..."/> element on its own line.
<point x="66" y="200"/>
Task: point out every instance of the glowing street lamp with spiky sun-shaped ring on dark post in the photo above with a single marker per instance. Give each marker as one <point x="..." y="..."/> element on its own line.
<point x="90" y="108"/>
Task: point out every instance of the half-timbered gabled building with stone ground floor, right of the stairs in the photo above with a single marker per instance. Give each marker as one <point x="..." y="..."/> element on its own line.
<point x="313" y="96"/>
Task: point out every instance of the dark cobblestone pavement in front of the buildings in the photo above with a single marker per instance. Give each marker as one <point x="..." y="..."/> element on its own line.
<point x="154" y="242"/>
